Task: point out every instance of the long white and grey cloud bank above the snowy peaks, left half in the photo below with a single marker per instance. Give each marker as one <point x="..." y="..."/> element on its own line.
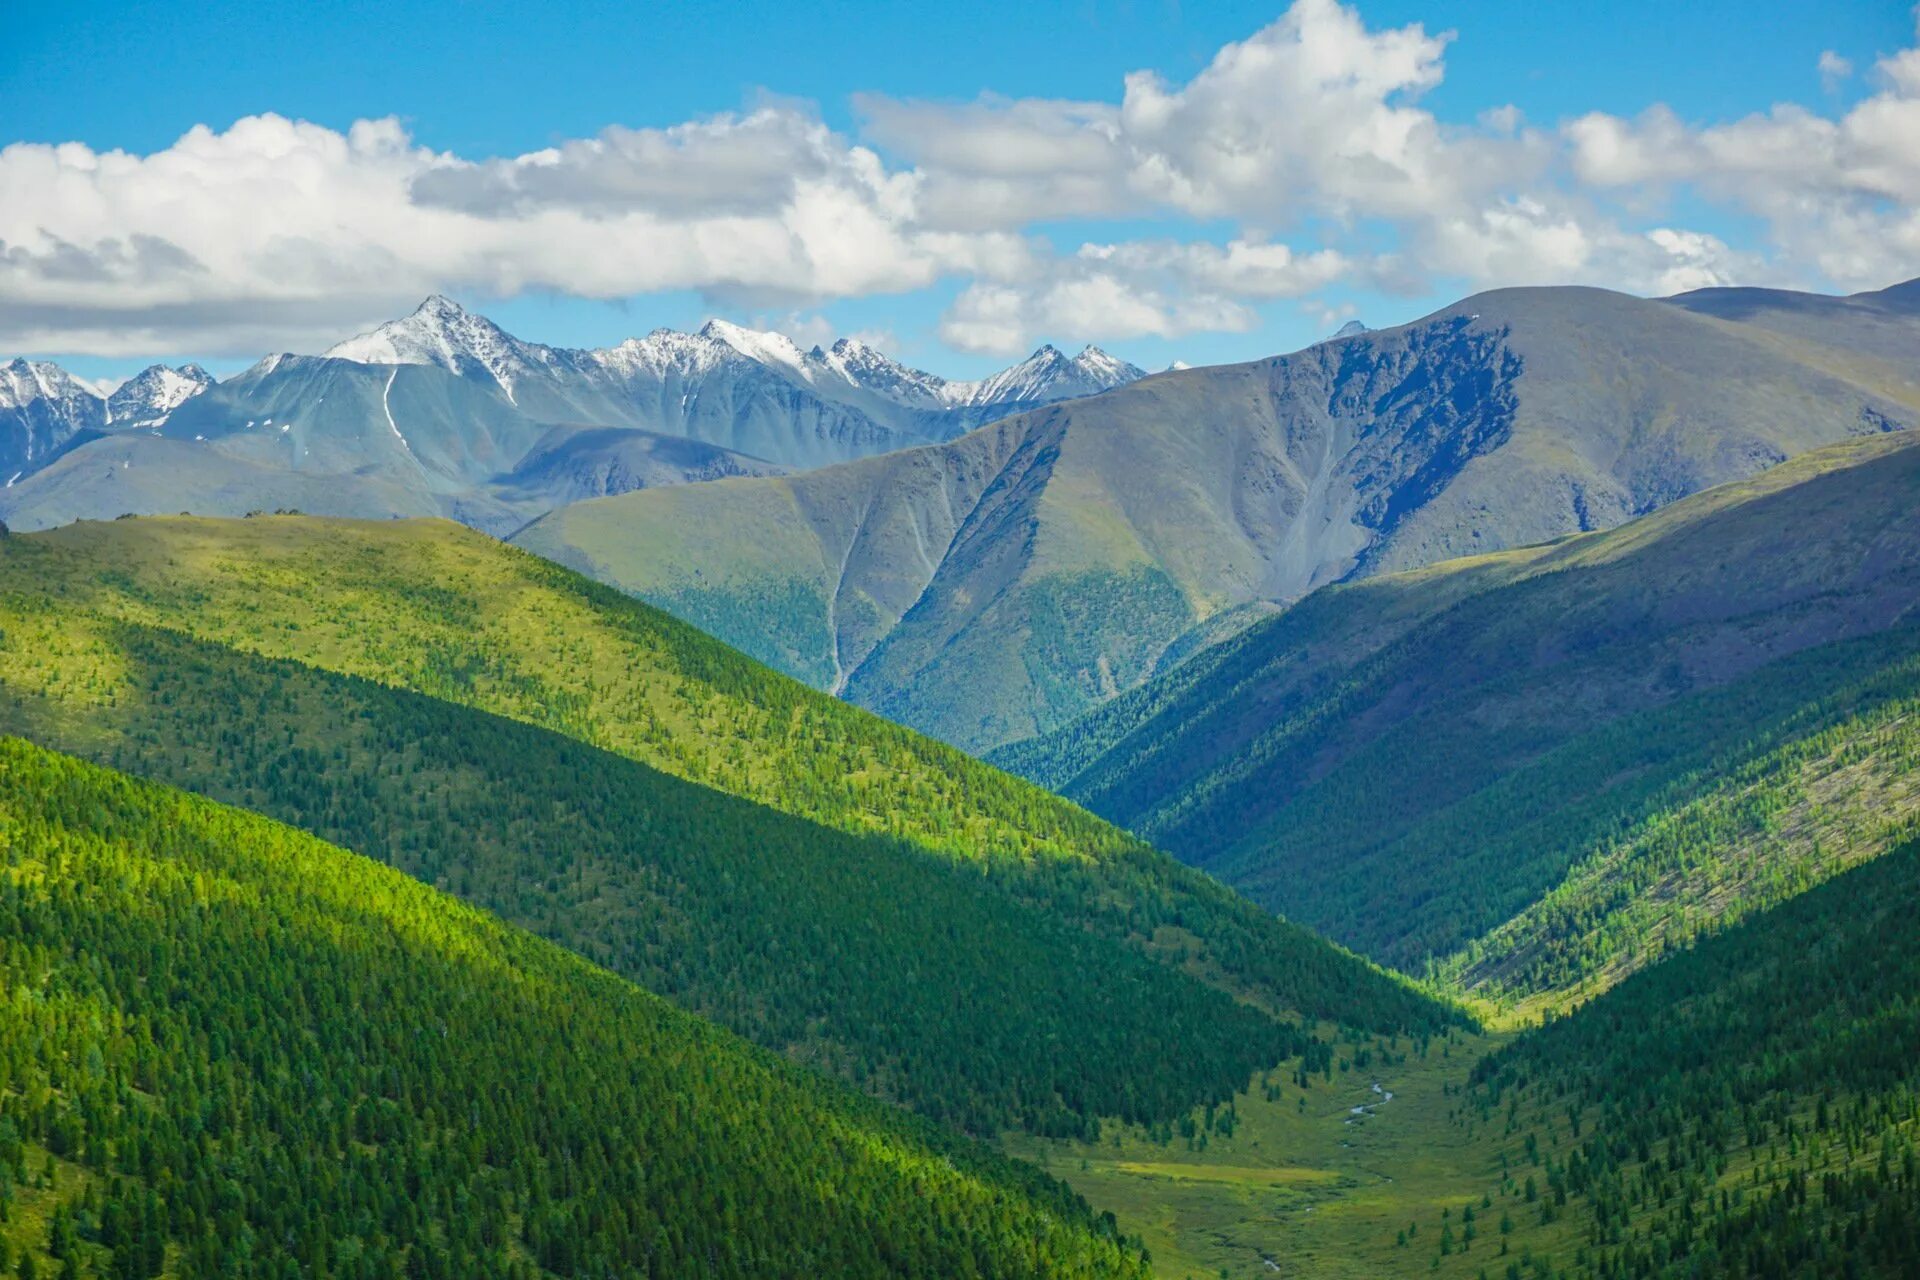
<point x="285" y="227"/>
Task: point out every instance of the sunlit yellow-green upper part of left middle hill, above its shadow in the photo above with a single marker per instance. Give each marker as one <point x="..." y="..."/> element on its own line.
<point x="460" y="617"/>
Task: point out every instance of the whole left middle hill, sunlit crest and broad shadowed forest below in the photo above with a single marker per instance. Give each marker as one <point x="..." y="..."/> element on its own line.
<point x="999" y="989"/>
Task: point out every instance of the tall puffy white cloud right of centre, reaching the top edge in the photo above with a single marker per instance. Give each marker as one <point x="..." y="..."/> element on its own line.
<point x="1310" y="116"/>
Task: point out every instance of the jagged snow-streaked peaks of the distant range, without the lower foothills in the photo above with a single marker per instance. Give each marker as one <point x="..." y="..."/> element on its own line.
<point x="742" y="391"/>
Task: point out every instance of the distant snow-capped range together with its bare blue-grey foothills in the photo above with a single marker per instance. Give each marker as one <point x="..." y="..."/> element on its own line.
<point x="437" y="414"/>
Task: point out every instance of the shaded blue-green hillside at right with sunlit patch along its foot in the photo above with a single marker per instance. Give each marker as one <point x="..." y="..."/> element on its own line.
<point x="1543" y="769"/>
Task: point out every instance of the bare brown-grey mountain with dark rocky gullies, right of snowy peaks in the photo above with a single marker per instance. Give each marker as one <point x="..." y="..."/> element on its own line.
<point x="999" y="586"/>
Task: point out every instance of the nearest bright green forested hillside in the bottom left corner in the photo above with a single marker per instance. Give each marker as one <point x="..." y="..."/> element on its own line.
<point x="233" y="1051"/>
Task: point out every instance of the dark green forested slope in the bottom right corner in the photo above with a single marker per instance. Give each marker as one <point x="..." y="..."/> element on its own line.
<point x="1750" y="1108"/>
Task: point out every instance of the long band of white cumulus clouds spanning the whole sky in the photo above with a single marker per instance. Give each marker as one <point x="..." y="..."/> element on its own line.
<point x="1307" y="153"/>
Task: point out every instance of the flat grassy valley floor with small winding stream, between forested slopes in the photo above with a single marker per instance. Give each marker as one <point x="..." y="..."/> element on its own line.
<point x="1349" y="1187"/>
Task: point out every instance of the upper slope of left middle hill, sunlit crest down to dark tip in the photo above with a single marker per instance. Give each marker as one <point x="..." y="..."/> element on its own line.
<point x="458" y="617"/>
